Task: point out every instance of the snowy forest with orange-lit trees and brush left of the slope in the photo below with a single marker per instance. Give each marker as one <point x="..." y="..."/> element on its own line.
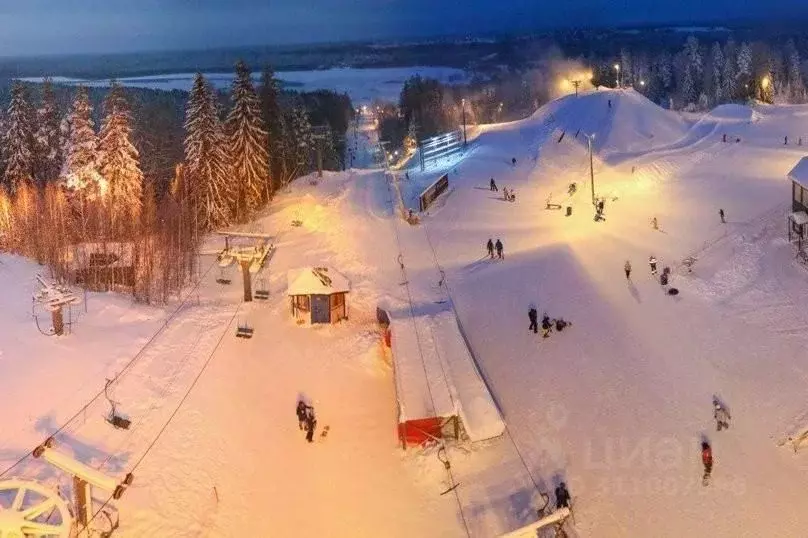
<point x="113" y="188"/>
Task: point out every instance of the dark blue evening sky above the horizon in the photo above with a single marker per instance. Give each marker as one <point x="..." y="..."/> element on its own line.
<point x="67" y="26"/>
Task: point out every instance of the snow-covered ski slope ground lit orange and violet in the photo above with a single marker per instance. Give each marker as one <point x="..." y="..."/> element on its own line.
<point x="616" y="405"/>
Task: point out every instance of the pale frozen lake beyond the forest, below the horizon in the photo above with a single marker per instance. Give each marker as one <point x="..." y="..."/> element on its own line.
<point x="363" y="85"/>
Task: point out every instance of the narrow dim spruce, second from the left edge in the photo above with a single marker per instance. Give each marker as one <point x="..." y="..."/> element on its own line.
<point x="48" y="161"/>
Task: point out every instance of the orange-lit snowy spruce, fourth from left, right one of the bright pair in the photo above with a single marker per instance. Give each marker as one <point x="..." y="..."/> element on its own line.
<point x="118" y="160"/>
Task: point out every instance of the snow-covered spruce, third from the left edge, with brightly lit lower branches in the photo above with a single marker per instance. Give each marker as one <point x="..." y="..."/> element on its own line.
<point x="80" y="170"/>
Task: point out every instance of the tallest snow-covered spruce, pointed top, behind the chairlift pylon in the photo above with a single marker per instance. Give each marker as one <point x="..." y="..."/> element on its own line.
<point x="247" y="140"/>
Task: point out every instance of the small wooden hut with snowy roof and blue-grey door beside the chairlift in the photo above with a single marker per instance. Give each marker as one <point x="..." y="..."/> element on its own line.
<point x="318" y="295"/>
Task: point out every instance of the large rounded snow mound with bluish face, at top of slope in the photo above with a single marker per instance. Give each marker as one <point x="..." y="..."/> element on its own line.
<point x="631" y="123"/>
